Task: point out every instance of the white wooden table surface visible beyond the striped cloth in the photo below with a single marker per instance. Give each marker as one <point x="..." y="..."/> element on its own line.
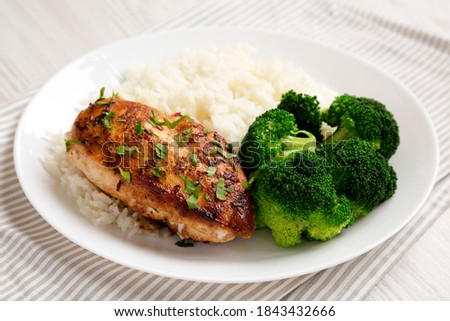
<point x="37" y="38"/>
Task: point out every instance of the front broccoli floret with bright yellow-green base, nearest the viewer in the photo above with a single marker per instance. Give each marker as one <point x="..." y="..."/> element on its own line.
<point x="296" y="199"/>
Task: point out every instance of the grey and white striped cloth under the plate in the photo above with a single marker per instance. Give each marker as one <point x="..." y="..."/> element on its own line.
<point x="37" y="263"/>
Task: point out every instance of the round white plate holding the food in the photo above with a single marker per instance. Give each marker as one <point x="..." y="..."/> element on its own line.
<point x="257" y="259"/>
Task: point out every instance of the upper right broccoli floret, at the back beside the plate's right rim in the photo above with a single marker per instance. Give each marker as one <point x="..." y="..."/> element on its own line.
<point x="365" y="118"/>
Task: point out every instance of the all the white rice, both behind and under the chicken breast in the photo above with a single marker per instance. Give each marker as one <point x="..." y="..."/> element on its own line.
<point x="223" y="88"/>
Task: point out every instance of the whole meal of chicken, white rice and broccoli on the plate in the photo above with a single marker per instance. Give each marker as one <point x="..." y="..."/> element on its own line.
<point x="315" y="161"/>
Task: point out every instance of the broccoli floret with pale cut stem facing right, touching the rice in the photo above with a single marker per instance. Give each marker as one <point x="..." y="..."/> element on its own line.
<point x="272" y="136"/>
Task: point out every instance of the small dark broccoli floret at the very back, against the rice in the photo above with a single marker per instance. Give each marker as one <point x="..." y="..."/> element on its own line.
<point x="306" y="111"/>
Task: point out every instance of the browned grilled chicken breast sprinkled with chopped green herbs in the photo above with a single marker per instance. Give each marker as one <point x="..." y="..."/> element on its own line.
<point x="169" y="169"/>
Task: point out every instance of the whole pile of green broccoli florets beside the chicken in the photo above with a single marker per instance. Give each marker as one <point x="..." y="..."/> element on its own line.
<point x="313" y="193"/>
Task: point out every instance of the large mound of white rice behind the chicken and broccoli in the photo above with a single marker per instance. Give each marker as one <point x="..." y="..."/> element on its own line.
<point x="223" y="88"/>
